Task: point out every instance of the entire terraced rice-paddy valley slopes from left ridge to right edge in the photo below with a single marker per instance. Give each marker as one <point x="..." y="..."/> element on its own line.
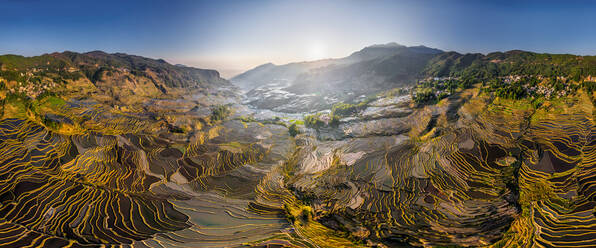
<point x="497" y="161"/>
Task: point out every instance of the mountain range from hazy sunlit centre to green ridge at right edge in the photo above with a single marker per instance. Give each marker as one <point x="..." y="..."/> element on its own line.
<point x="317" y="85"/>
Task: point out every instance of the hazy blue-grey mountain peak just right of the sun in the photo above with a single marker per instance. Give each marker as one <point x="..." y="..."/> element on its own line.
<point x="370" y="69"/>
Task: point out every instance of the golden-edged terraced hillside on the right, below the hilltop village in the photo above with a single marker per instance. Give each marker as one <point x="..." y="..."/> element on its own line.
<point x="473" y="172"/>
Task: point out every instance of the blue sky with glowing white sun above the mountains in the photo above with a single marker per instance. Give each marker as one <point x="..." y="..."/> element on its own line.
<point x="234" y="36"/>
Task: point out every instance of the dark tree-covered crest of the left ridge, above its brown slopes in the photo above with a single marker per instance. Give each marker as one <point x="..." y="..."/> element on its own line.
<point x="96" y="63"/>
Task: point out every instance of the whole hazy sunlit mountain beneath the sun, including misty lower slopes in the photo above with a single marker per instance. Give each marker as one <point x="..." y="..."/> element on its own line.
<point x="316" y="85"/>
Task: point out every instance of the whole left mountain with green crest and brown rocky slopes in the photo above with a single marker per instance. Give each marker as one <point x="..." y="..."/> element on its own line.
<point x="109" y="78"/>
